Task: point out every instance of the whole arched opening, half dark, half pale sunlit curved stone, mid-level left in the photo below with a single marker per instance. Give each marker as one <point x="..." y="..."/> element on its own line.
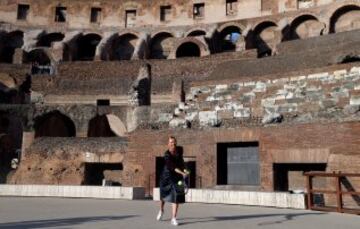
<point x="108" y="125"/>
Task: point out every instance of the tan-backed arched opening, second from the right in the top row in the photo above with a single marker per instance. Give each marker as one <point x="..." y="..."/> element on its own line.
<point x="303" y="27"/>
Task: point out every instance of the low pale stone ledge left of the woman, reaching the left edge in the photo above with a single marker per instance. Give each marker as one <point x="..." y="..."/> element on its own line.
<point x="127" y="193"/>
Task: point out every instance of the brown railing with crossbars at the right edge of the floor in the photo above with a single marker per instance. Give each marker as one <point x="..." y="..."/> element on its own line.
<point x="338" y="179"/>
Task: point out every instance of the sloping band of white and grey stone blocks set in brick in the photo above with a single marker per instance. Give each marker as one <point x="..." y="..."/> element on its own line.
<point x="324" y="96"/>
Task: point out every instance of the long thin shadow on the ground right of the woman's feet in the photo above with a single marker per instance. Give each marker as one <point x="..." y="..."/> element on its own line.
<point x="285" y="217"/>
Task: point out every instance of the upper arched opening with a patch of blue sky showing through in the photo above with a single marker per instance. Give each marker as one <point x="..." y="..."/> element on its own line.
<point x="228" y="38"/>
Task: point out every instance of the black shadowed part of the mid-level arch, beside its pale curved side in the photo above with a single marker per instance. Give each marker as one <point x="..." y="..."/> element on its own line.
<point x="99" y="126"/>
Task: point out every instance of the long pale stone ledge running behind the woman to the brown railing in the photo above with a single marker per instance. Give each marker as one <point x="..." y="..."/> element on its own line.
<point x="267" y="199"/>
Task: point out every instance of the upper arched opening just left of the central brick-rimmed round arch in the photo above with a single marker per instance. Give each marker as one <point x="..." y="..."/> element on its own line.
<point x="161" y="45"/>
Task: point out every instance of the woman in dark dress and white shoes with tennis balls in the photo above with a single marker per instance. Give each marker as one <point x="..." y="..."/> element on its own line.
<point x="173" y="173"/>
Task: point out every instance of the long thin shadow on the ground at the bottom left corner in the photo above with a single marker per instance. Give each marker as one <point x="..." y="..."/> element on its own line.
<point x="60" y="222"/>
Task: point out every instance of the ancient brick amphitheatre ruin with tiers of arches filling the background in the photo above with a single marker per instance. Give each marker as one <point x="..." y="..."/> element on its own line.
<point x="256" y="91"/>
